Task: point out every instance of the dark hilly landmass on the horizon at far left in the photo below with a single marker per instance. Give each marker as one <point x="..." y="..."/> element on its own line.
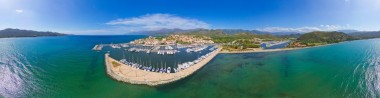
<point x="9" y="32"/>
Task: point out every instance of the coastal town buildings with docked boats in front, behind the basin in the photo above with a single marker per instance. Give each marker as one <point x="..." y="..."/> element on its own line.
<point x="163" y="45"/>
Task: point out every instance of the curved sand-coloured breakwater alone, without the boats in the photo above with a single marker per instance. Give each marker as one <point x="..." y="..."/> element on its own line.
<point x="126" y="73"/>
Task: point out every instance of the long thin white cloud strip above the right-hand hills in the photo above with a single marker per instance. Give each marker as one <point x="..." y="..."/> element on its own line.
<point x="306" y="29"/>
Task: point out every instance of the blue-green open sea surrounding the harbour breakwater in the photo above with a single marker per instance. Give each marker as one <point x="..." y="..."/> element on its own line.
<point x="46" y="67"/>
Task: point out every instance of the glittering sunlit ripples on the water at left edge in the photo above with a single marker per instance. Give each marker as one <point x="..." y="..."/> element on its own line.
<point x="16" y="73"/>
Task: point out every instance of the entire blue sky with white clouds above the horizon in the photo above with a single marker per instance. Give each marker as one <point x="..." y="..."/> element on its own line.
<point x="120" y="17"/>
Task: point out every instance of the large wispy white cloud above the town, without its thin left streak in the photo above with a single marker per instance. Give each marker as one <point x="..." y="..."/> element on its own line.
<point x="158" y="21"/>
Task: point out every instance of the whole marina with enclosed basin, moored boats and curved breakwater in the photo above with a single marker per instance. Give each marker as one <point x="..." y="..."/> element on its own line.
<point x="152" y="62"/>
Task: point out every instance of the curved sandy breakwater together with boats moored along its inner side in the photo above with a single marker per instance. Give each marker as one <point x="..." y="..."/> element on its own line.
<point x="135" y="73"/>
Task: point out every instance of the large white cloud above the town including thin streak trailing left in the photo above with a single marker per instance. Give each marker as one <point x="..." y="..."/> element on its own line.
<point x="149" y="22"/>
